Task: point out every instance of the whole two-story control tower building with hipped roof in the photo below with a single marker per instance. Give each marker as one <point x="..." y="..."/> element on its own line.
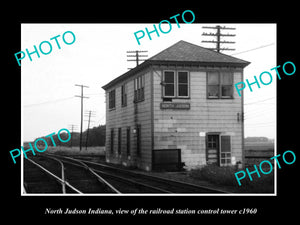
<point x="178" y="106"/>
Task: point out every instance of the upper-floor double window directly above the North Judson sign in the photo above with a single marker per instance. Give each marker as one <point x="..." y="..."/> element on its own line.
<point x="176" y="85"/>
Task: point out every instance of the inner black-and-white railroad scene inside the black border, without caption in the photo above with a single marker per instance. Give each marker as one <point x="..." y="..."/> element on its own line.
<point x="167" y="116"/>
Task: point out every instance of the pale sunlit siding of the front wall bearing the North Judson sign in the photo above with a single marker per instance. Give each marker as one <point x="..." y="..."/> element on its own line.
<point x="180" y="128"/>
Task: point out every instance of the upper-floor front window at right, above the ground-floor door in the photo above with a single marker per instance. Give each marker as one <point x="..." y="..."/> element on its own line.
<point x="219" y="84"/>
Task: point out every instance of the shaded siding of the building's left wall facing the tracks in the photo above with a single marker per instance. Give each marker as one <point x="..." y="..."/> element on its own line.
<point x="124" y="117"/>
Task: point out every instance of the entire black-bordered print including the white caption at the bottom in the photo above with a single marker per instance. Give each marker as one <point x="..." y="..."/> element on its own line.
<point x="175" y="112"/>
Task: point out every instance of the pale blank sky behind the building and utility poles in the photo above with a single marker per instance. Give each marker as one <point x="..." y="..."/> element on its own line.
<point x="98" y="55"/>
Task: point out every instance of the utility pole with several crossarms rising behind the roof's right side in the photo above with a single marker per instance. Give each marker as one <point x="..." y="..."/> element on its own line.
<point x="218" y="36"/>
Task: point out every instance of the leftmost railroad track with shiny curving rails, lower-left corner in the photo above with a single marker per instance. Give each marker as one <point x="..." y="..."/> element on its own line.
<point x="49" y="174"/>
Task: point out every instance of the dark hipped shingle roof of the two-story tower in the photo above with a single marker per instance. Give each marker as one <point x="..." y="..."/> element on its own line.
<point x="184" y="52"/>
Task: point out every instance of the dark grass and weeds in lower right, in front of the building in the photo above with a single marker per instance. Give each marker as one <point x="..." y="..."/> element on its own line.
<point x="225" y="176"/>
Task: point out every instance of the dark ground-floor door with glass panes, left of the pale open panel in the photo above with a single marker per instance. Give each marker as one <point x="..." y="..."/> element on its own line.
<point x="212" y="149"/>
